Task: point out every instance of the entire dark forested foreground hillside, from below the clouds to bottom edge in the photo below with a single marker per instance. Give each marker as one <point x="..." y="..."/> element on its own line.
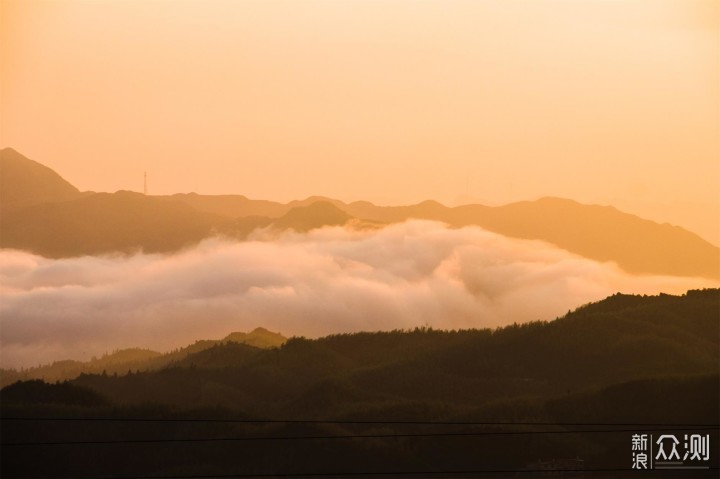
<point x="577" y="386"/>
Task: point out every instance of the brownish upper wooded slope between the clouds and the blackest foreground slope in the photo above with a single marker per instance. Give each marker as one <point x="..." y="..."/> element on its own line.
<point x="617" y="340"/>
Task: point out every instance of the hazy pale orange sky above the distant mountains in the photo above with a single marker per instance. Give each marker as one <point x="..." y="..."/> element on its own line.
<point x="602" y="101"/>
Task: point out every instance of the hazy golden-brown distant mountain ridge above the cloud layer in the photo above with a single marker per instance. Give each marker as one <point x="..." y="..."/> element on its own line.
<point x="52" y="218"/>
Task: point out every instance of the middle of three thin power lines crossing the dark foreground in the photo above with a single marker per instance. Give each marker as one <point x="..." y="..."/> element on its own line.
<point x="328" y="437"/>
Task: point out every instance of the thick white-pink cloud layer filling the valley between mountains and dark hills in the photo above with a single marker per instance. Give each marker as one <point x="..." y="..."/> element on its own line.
<point x="327" y="281"/>
